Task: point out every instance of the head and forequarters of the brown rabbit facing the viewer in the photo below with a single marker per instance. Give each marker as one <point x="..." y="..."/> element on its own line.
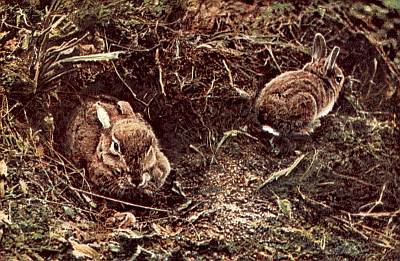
<point x="127" y="158"/>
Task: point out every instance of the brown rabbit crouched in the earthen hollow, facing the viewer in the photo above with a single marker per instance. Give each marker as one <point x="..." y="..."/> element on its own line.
<point x="117" y="147"/>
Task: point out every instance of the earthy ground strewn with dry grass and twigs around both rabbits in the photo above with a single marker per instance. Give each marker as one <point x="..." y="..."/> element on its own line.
<point x="193" y="69"/>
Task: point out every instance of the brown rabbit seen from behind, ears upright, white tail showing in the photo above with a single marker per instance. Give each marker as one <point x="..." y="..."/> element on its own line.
<point x="293" y="102"/>
